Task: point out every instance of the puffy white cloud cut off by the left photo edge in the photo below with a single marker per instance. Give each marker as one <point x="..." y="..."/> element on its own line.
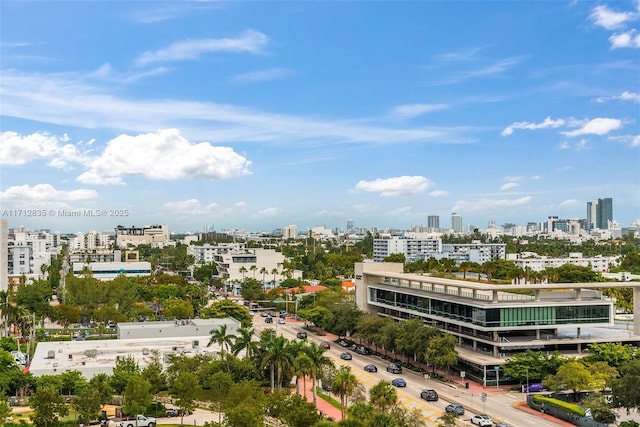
<point x="16" y="149"/>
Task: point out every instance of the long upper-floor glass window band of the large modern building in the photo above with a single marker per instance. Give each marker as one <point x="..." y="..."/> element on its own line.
<point x="521" y="315"/>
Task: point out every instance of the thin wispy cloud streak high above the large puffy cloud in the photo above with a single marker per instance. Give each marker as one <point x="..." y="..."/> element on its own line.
<point x="250" y="41"/>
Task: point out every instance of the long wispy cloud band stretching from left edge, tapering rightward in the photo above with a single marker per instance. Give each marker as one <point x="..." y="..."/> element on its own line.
<point x="67" y="100"/>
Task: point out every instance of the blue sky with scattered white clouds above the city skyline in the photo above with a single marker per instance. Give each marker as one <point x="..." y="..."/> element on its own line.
<point x="258" y="115"/>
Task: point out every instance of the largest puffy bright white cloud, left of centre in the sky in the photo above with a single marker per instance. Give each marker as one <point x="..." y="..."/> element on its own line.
<point x="163" y="155"/>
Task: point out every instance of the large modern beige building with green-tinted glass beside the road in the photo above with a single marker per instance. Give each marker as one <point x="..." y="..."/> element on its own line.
<point x="492" y="322"/>
